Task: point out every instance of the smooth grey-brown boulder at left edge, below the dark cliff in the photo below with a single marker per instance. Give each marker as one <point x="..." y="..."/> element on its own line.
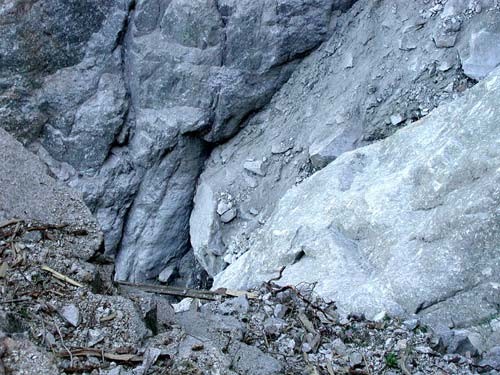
<point x="28" y="193"/>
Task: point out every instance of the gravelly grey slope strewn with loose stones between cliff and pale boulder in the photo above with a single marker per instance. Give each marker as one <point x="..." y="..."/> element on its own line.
<point x="380" y="71"/>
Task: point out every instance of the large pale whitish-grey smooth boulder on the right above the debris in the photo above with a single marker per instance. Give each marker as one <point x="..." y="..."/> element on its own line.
<point x="408" y="225"/>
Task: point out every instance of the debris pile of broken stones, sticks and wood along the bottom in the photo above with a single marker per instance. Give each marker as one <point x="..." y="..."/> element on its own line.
<point x="61" y="315"/>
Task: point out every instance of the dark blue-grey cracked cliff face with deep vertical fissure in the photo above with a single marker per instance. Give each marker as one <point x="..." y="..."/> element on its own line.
<point x="121" y="107"/>
